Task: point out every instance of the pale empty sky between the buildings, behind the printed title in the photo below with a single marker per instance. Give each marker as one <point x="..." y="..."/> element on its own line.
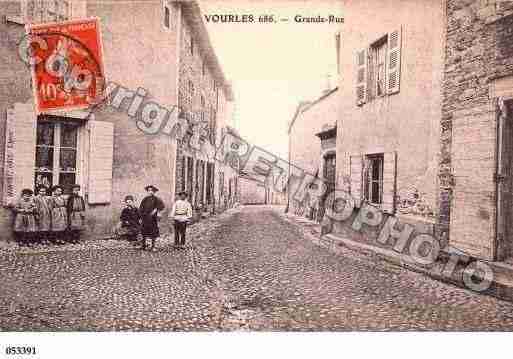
<point x="273" y="66"/>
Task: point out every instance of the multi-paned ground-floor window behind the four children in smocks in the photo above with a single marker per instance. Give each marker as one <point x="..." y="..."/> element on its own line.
<point x="56" y="154"/>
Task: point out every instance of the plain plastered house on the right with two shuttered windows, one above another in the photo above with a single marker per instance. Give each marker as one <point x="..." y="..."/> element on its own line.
<point x="390" y="104"/>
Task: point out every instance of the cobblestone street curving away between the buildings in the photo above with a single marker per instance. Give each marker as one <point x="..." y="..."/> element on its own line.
<point x="247" y="269"/>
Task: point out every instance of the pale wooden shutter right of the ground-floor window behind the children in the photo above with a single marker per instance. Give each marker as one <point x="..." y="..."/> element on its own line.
<point x="101" y="145"/>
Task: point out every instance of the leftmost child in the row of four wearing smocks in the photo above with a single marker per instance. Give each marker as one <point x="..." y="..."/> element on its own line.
<point x="25" y="221"/>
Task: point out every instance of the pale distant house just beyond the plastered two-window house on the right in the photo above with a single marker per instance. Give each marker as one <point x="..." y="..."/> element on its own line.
<point x="312" y="140"/>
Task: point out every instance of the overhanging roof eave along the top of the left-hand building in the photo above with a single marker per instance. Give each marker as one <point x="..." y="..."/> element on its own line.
<point x="193" y="16"/>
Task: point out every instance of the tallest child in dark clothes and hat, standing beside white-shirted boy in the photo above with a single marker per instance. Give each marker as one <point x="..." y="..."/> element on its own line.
<point x="150" y="209"/>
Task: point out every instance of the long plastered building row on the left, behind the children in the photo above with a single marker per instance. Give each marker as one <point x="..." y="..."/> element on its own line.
<point x="158" y="48"/>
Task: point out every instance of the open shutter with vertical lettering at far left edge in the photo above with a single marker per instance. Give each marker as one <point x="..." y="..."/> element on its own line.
<point x="20" y="151"/>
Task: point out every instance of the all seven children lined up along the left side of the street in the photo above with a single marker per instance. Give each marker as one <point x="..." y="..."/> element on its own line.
<point x="57" y="219"/>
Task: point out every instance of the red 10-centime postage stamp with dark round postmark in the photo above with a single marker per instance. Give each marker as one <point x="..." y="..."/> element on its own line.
<point x="67" y="67"/>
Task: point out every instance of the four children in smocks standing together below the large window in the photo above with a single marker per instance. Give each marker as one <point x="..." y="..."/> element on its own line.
<point x="45" y="218"/>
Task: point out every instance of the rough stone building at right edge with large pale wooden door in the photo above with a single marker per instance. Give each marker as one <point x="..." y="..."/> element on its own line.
<point x="475" y="168"/>
